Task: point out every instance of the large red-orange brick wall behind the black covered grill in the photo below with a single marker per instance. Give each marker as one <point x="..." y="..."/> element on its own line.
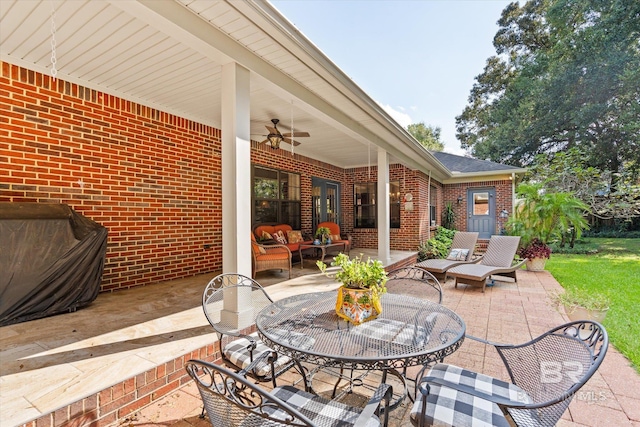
<point x="153" y="179"/>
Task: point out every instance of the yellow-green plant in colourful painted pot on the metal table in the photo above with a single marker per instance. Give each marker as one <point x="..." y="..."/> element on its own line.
<point x="363" y="283"/>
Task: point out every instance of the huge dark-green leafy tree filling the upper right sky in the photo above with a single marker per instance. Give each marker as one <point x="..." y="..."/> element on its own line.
<point x="566" y="74"/>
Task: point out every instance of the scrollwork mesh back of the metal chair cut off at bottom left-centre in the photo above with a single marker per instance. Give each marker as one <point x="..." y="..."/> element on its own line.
<point x="231" y="400"/>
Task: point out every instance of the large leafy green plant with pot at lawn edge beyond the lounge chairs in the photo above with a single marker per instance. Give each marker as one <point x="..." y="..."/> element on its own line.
<point x="540" y="217"/>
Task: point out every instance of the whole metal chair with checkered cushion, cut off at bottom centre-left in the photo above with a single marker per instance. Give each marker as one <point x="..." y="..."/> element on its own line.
<point x="231" y="400"/>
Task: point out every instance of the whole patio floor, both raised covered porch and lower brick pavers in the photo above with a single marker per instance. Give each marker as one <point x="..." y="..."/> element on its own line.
<point x="53" y="365"/>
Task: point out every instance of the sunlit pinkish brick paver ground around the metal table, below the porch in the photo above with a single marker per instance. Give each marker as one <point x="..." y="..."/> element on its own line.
<point x="507" y="312"/>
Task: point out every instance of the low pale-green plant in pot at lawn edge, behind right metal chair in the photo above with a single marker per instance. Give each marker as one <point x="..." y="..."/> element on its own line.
<point x="581" y="304"/>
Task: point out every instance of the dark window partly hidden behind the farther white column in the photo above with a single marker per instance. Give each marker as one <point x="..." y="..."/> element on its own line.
<point x="365" y="211"/>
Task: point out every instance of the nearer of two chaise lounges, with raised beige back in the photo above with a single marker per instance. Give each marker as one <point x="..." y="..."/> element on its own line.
<point x="497" y="260"/>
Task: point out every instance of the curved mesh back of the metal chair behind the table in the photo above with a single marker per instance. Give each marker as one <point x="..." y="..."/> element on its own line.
<point x="414" y="281"/>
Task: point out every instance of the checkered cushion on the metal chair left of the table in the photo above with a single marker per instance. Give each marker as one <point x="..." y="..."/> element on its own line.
<point x="237" y="351"/>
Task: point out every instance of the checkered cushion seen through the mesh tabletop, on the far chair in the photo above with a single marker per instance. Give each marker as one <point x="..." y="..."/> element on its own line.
<point x="392" y="331"/>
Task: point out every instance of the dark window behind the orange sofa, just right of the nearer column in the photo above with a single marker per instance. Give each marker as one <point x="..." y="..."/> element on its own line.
<point x="276" y="197"/>
